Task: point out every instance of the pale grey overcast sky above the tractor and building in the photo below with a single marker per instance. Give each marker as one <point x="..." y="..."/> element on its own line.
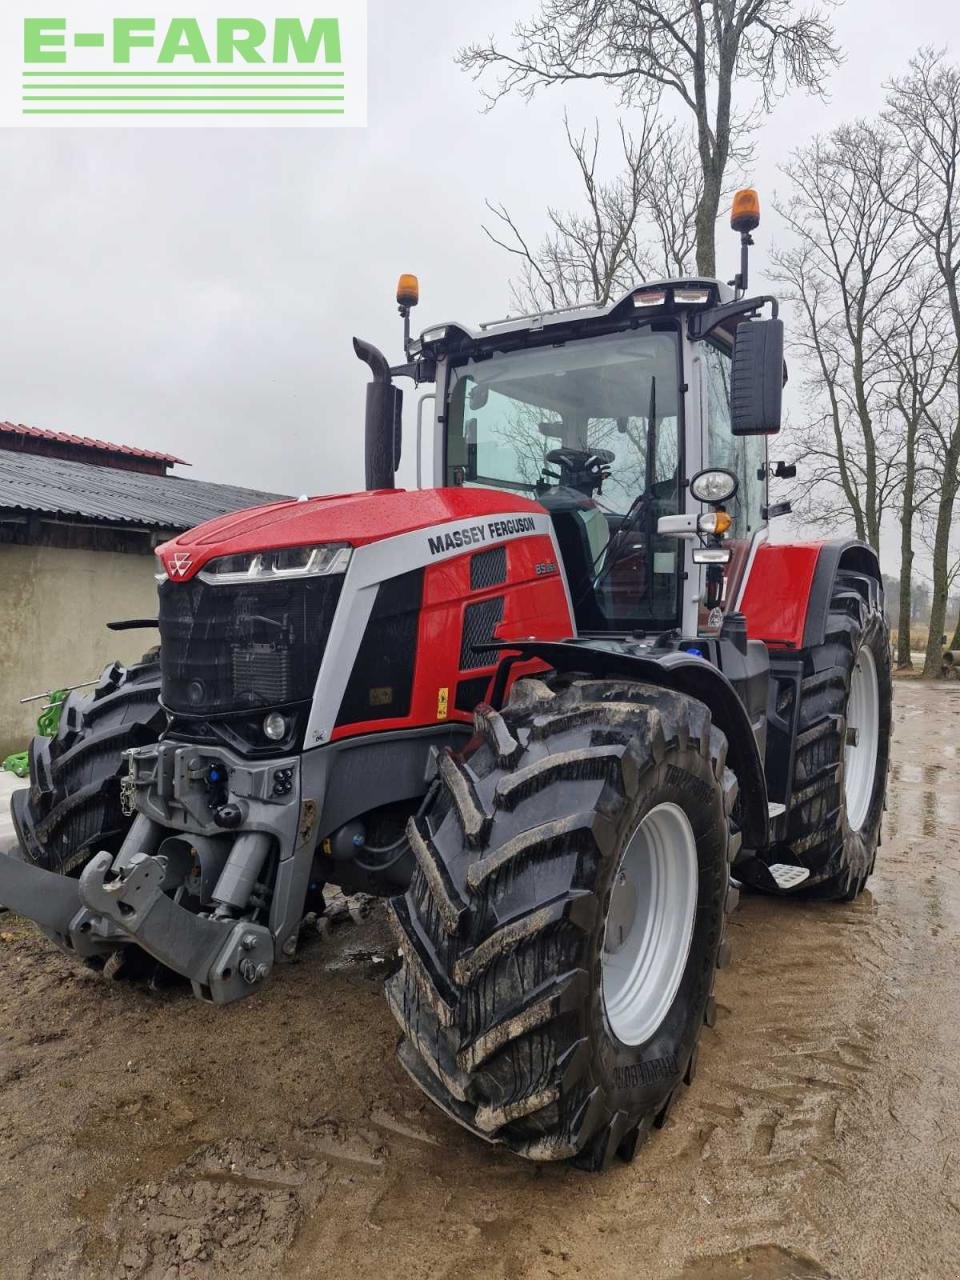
<point x="196" y="291"/>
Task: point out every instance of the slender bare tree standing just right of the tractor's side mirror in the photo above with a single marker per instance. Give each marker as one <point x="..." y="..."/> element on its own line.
<point x="852" y="257"/>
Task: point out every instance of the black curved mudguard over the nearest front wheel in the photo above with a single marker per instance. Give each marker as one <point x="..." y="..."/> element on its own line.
<point x="683" y="673"/>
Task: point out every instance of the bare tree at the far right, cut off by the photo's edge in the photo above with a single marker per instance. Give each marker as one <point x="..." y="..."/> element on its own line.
<point x="924" y="109"/>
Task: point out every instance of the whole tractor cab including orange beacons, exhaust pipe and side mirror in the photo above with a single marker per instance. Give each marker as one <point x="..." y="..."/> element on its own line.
<point x="641" y="426"/>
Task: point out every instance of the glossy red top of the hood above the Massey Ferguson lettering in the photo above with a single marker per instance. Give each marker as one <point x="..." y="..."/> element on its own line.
<point x="351" y="518"/>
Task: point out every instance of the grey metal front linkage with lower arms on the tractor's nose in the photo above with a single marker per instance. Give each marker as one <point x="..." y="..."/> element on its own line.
<point x="186" y="886"/>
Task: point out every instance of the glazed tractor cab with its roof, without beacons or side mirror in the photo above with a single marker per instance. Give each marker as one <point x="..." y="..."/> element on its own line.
<point x="605" y="431"/>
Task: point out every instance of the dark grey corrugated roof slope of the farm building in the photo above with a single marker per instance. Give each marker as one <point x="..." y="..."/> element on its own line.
<point x="81" y="491"/>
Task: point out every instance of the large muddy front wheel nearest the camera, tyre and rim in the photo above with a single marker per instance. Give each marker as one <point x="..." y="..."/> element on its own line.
<point x="504" y="993"/>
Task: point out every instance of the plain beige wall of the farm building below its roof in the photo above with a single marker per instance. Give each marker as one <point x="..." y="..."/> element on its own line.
<point x="54" y="605"/>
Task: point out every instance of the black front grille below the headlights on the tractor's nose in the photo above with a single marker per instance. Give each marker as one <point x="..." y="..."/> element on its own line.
<point x="243" y="647"/>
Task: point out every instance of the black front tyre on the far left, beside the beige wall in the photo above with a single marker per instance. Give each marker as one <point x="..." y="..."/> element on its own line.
<point x="72" y="808"/>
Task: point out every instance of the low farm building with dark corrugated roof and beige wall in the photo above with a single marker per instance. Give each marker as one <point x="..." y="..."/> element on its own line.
<point x="80" y="519"/>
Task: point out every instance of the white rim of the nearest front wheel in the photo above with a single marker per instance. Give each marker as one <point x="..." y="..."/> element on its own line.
<point x="650" y="925"/>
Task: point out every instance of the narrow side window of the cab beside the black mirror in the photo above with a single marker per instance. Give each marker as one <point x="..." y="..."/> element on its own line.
<point x="746" y="456"/>
